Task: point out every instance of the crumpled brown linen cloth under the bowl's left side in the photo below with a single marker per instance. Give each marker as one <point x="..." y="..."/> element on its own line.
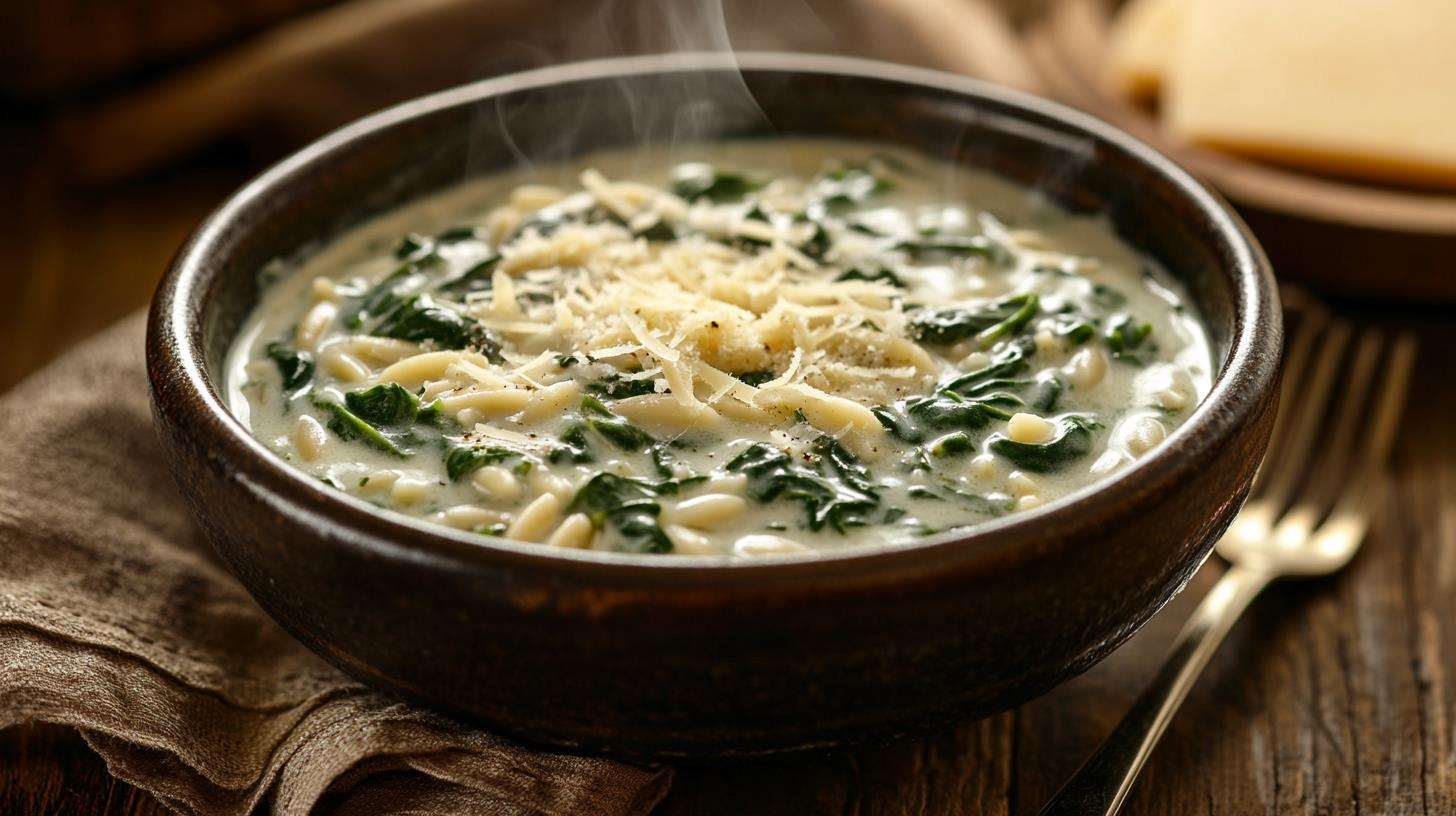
<point x="117" y="620"/>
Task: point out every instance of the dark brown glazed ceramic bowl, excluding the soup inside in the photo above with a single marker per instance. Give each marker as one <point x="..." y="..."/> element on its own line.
<point x="647" y="658"/>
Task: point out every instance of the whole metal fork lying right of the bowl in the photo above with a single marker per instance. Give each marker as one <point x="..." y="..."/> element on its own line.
<point x="1310" y="511"/>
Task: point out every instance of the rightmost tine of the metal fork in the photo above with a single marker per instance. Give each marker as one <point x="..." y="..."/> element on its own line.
<point x="1352" y="515"/>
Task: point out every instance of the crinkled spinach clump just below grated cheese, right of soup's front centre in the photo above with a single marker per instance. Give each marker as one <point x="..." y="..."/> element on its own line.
<point x="842" y="499"/>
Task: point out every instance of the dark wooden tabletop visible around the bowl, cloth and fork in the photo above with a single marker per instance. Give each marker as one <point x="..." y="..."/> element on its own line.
<point x="1332" y="699"/>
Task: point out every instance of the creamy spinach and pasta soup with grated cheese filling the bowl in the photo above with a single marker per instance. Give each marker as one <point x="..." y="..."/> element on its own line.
<point x="772" y="348"/>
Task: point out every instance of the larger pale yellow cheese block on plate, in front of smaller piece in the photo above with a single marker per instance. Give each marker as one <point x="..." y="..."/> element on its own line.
<point x="1364" y="88"/>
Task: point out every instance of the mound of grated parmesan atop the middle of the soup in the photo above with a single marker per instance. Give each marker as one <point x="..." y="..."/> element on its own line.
<point x="697" y="313"/>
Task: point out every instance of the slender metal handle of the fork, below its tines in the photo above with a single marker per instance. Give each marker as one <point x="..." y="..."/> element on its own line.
<point x="1103" y="783"/>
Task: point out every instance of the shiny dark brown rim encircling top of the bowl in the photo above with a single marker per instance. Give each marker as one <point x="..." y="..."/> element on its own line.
<point x="177" y="366"/>
